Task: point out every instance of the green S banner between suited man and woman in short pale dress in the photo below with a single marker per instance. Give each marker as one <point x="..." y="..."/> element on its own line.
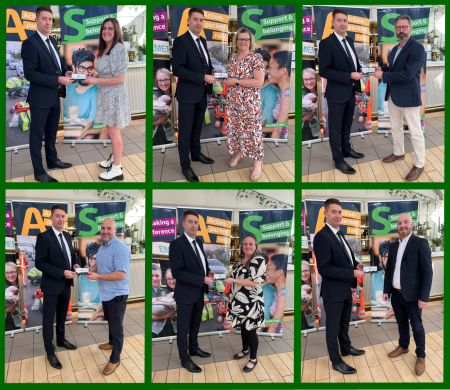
<point x="80" y="32"/>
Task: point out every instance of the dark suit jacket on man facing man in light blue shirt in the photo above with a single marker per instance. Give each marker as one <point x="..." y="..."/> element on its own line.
<point x="50" y="260"/>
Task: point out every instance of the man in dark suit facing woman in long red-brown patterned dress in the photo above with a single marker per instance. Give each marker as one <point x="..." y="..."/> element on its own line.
<point x="192" y="65"/>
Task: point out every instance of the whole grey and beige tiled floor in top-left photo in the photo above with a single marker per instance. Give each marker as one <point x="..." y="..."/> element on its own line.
<point x="85" y="158"/>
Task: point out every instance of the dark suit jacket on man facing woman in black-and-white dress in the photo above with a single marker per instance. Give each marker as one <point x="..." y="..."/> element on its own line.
<point x="187" y="270"/>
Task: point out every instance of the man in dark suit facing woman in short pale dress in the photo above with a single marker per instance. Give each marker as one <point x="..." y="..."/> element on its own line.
<point x="48" y="79"/>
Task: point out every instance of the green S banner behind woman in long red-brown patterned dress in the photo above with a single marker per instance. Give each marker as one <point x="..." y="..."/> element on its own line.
<point x="273" y="28"/>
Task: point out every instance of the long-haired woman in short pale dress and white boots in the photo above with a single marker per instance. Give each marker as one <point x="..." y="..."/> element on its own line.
<point x="113" y="106"/>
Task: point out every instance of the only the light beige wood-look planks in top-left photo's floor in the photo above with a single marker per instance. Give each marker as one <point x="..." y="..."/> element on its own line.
<point x="133" y="171"/>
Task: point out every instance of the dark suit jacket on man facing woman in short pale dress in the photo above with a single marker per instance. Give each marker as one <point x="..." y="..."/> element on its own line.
<point x="42" y="72"/>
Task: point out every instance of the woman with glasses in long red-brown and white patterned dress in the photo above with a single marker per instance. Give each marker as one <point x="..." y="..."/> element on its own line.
<point x="246" y="71"/>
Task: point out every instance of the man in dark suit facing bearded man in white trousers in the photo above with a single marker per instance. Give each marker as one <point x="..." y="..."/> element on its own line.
<point x="339" y="64"/>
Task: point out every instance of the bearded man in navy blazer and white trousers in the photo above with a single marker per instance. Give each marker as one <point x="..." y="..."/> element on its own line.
<point x="402" y="76"/>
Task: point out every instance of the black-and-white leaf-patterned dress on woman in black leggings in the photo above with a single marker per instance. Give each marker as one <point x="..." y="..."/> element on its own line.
<point x="246" y="305"/>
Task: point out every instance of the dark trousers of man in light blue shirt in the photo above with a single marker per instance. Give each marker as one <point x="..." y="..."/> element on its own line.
<point x="114" y="311"/>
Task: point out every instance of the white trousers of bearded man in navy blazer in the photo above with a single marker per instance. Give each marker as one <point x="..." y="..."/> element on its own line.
<point x="412" y="116"/>
